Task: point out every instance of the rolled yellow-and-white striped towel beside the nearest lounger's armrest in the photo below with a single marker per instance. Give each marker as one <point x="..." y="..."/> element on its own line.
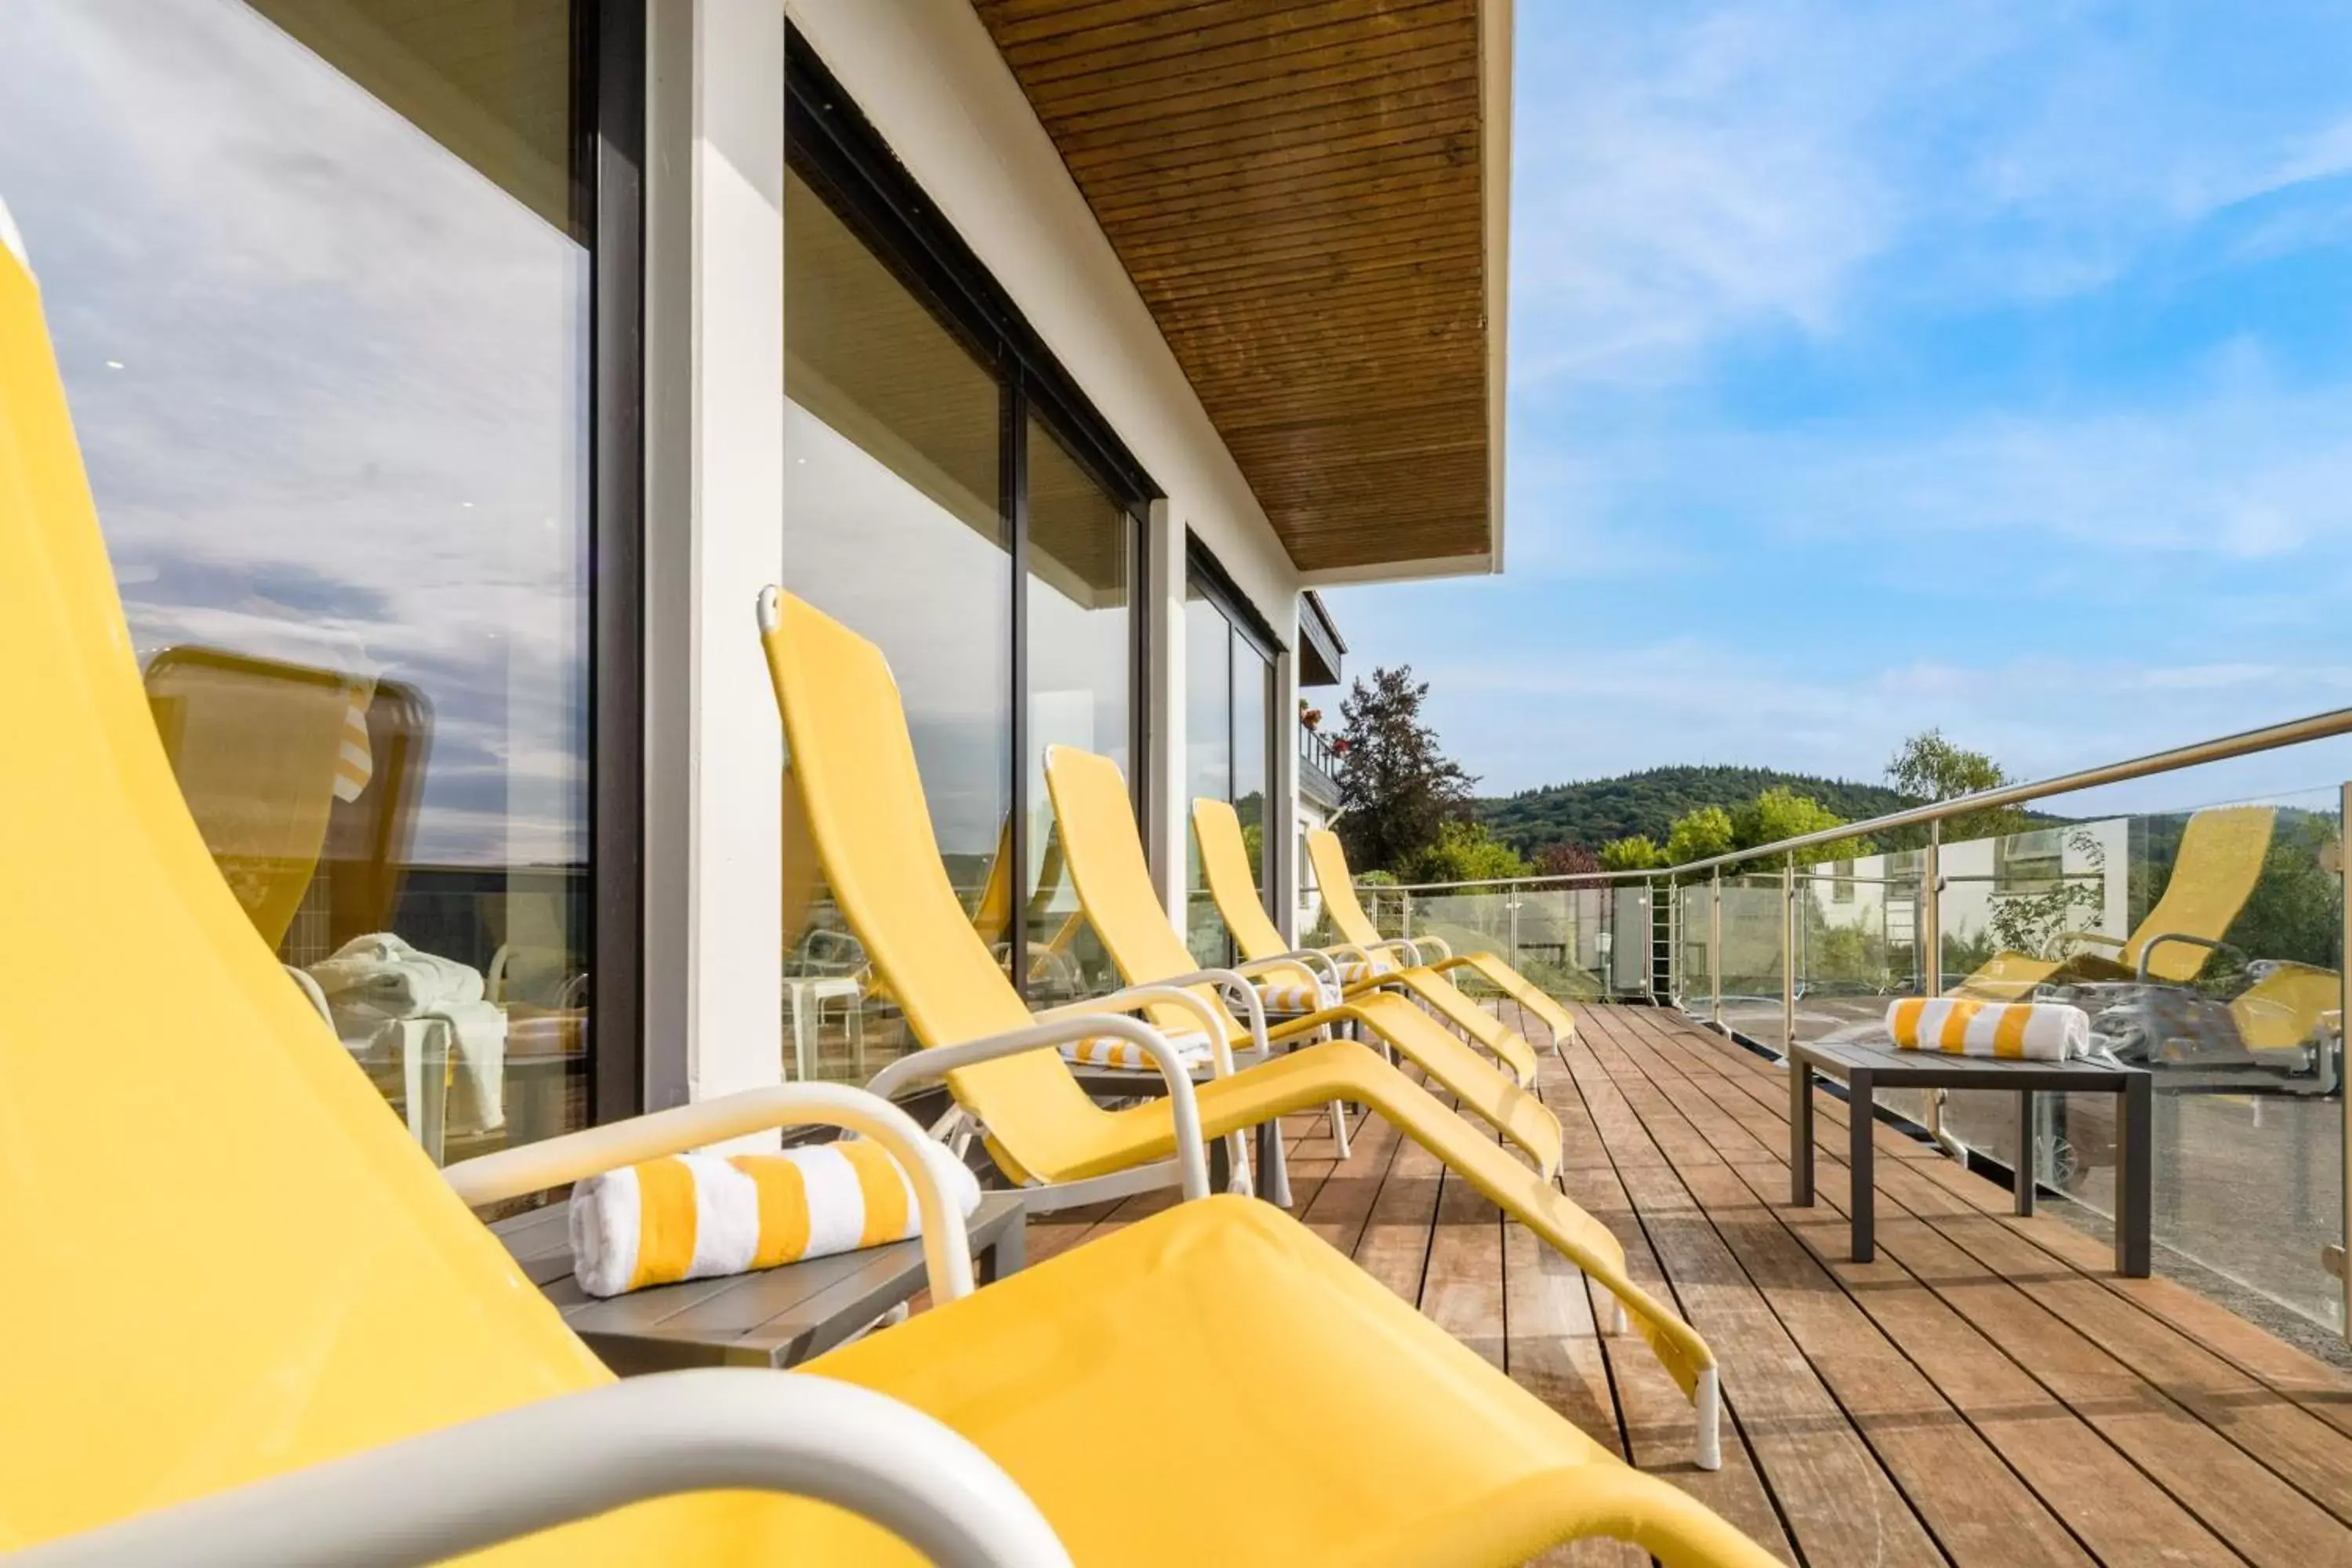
<point x="700" y="1217"/>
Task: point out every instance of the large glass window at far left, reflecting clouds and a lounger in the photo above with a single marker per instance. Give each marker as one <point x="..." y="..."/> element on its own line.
<point x="321" y="286"/>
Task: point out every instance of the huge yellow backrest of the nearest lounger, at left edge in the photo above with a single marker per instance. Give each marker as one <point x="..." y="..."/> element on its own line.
<point x="222" y="1254"/>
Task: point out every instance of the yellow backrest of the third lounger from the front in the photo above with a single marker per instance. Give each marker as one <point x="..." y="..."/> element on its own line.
<point x="1114" y="880"/>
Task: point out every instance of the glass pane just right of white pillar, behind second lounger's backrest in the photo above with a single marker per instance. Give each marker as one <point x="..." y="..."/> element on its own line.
<point x="895" y="528"/>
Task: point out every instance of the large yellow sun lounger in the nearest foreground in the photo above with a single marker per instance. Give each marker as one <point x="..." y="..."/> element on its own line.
<point x="352" y="1369"/>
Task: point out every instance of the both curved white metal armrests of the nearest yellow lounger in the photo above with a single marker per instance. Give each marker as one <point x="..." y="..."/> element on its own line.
<point x="587" y="1454"/>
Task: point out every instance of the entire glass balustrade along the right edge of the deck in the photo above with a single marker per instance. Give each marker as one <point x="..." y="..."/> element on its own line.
<point x="2203" y="944"/>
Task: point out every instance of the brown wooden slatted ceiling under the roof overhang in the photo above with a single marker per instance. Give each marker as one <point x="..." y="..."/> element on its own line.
<point x="1299" y="196"/>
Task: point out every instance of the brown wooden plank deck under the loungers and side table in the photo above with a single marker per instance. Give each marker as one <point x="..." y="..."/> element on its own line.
<point x="1986" y="1393"/>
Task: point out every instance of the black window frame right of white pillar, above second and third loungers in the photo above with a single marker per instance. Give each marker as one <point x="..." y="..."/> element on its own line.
<point x="855" y="173"/>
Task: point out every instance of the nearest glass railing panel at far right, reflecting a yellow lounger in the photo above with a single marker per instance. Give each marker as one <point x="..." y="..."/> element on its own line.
<point x="2245" y="1040"/>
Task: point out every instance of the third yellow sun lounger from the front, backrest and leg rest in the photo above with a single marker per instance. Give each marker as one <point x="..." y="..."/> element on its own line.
<point x="1116" y="892"/>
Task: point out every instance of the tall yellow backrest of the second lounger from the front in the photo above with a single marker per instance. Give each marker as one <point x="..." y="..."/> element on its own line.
<point x="874" y="831"/>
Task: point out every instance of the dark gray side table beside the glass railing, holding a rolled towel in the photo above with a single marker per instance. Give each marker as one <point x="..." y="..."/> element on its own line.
<point x="1864" y="1068"/>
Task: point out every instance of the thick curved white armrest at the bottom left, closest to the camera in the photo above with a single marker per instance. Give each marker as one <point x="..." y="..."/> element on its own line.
<point x="577" y="1456"/>
